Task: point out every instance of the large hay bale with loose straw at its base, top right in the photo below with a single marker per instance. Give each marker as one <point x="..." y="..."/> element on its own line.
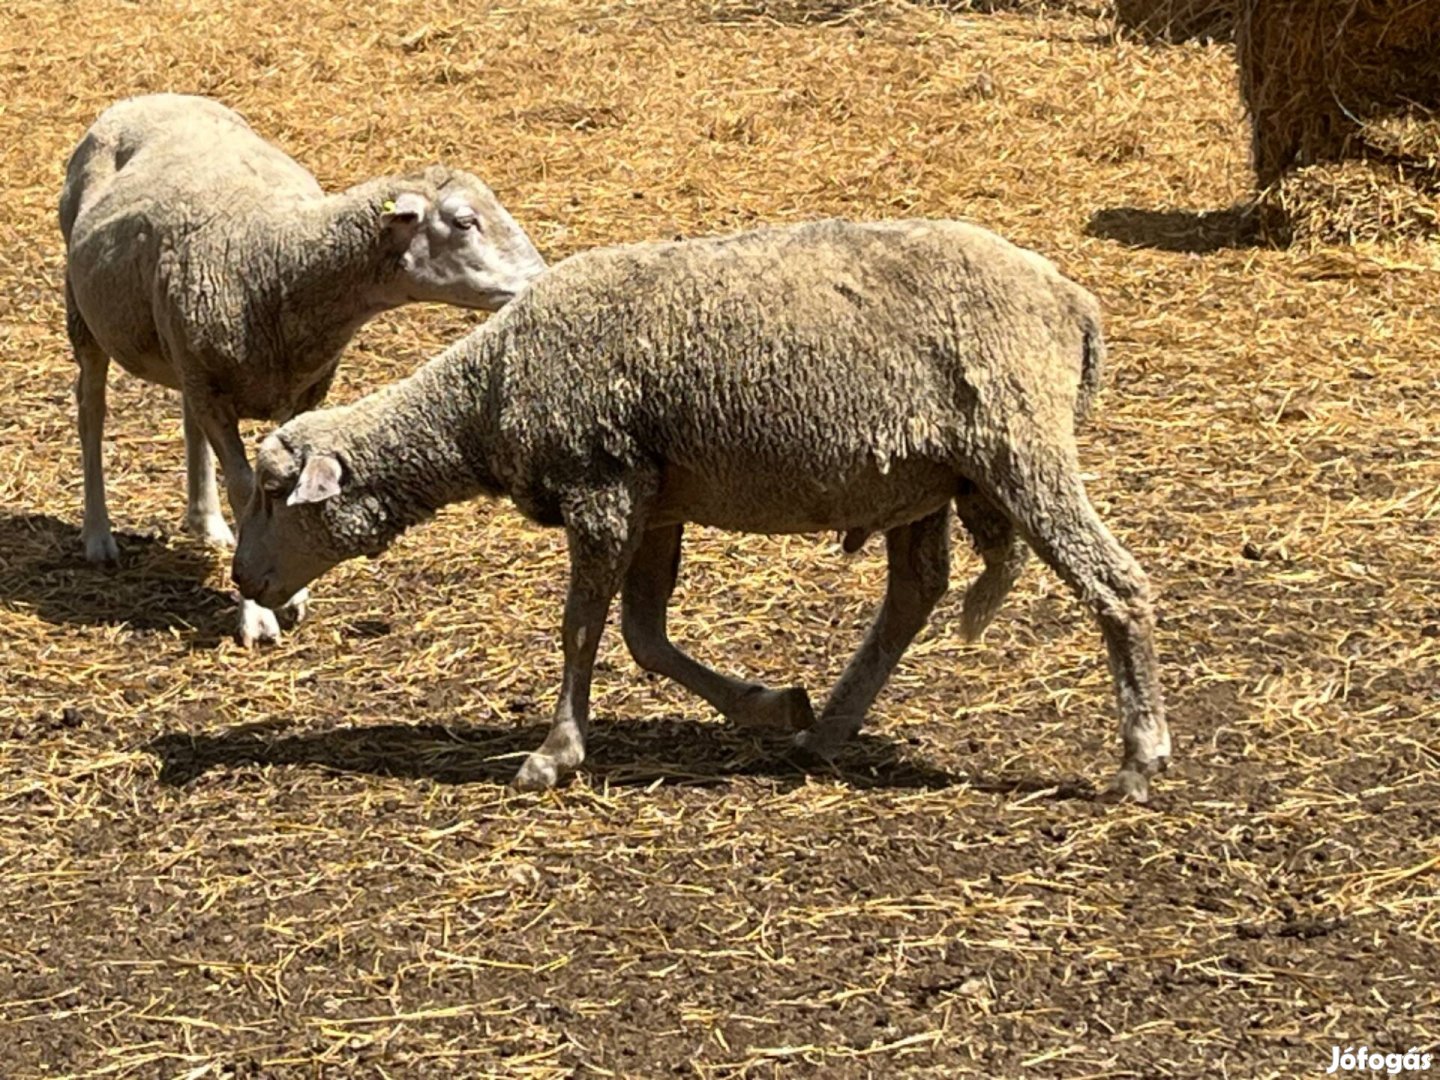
<point x="1344" y="102"/>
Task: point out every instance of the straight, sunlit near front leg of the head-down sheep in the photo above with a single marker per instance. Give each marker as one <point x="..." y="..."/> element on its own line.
<point x="603" y="534"/>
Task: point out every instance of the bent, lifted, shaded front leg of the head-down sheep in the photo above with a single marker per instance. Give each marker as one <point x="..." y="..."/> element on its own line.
<point x="649" y="587"/>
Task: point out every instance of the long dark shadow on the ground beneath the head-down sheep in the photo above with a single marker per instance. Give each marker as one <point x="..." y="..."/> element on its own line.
<point x="670" y="752"/>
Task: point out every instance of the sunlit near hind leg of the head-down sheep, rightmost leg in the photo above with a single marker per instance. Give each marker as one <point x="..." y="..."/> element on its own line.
<point x="1059" y="522"/>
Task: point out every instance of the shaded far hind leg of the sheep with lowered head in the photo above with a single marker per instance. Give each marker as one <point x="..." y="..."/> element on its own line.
<point x="919" y="571"/>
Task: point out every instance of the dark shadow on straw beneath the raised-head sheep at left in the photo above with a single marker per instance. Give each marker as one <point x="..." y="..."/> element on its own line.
<point x="158" y="587"/>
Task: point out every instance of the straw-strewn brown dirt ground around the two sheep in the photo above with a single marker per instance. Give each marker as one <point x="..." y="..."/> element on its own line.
<point x="303" y="863"/>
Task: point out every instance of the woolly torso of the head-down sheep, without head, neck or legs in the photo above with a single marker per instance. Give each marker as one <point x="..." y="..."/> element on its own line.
<point x="829" y="351"/>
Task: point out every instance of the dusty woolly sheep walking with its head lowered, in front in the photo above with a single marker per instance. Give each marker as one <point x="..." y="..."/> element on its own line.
<point x="856" y="378"/>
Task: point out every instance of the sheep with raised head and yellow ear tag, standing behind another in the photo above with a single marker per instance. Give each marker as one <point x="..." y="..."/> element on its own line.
<point x="202" y="258"/>
